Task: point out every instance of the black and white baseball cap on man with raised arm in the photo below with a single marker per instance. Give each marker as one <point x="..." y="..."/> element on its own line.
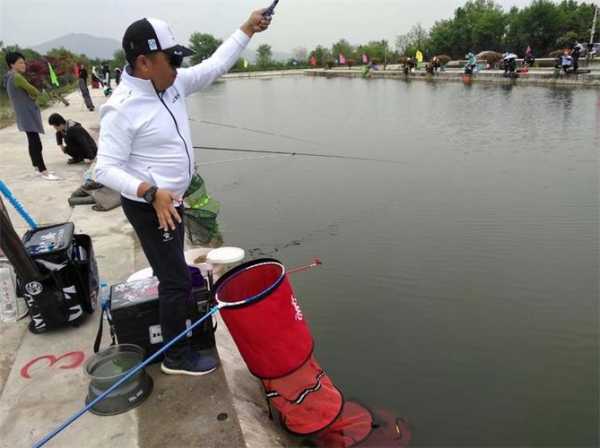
<point x="150" y="35"/>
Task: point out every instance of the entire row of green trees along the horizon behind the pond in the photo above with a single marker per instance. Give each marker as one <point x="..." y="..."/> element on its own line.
<point x="478" y="25"/>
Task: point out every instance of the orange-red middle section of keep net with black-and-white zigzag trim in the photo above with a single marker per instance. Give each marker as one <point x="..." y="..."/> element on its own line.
<point x="307" y="400"/>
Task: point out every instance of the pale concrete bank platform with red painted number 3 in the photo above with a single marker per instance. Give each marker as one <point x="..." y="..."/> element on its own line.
<point x="41" y="379"/>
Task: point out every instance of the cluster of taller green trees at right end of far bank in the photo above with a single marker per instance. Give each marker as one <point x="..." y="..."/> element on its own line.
<point x="482" y="25"/>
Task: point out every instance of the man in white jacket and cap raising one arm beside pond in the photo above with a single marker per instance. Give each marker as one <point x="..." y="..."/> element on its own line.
<point x="146" y="153"/>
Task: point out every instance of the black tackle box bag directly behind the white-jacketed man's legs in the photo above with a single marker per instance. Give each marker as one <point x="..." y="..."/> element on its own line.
<point x="133" y="317"/>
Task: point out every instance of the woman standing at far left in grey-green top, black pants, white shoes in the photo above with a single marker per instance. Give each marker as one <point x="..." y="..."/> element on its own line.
<point x="29" y="118"/>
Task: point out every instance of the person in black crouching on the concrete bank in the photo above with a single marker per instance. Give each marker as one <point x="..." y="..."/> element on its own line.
<point x="73" y="139"/>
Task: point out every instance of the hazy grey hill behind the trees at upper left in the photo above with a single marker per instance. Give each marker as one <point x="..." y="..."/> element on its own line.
<point x="91" y="46"/>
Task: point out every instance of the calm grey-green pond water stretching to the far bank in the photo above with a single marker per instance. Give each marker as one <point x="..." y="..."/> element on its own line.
<point x="460" y="279"/>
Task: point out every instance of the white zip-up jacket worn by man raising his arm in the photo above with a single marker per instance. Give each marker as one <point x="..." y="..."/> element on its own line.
<point x="145" y="136"/>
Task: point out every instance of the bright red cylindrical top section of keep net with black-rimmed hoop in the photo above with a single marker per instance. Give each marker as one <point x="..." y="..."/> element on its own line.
<point x="270" y="331"/>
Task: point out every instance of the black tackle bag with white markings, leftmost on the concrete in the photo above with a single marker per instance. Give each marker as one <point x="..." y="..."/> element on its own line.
<point x="69" y="277"/>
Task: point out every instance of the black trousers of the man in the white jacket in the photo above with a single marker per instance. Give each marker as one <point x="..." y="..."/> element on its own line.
<point x="164" y="251"/>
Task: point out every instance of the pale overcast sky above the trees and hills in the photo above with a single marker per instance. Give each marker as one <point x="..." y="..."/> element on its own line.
<point x="297" y="23"/>
